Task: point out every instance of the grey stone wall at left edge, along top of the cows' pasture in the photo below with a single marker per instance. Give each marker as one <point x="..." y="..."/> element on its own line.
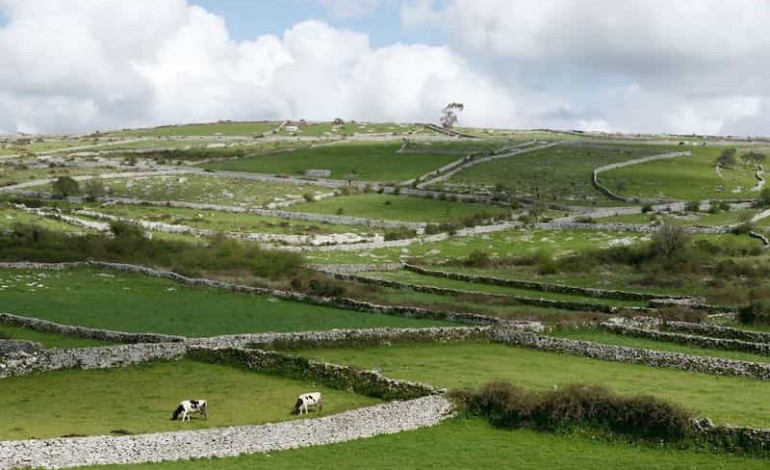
<point x="89" y="358"/>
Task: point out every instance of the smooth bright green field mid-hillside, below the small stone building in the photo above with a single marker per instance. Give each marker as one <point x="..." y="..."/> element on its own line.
<point x="388" y="207"/>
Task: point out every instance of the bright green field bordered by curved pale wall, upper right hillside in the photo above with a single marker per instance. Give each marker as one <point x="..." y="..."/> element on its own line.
<point x="665" y="178"/>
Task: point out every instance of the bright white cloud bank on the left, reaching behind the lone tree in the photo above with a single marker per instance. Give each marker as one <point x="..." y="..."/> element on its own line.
<point x="77" y="65"/>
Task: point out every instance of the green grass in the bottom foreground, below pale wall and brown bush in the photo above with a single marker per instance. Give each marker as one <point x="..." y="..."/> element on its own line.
<point x="470" y="444"/>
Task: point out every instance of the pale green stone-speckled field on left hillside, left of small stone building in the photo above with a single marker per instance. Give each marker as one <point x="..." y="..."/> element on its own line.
<point x="212" y="190"/>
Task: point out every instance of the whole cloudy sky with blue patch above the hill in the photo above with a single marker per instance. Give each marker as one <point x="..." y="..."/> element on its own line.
<point x="605" y="65"/>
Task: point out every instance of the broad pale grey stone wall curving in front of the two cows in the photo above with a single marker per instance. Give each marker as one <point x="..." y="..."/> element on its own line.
<point x="388" y="418"/>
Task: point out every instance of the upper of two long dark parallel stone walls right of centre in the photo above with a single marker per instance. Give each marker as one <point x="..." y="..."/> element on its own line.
<point x="539" y="286"/>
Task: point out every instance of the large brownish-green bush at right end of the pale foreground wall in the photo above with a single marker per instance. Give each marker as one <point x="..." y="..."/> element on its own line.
<point x="574" y="406"/>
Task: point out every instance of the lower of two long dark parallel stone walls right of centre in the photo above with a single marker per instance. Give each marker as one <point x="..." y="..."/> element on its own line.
<point x="521" y="300"/>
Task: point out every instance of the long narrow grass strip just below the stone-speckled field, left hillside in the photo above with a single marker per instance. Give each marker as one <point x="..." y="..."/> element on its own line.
<point x="225" y="221"/>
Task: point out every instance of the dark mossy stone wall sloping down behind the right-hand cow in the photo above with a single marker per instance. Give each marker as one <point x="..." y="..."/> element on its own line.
<point x="364" y="382"/>
